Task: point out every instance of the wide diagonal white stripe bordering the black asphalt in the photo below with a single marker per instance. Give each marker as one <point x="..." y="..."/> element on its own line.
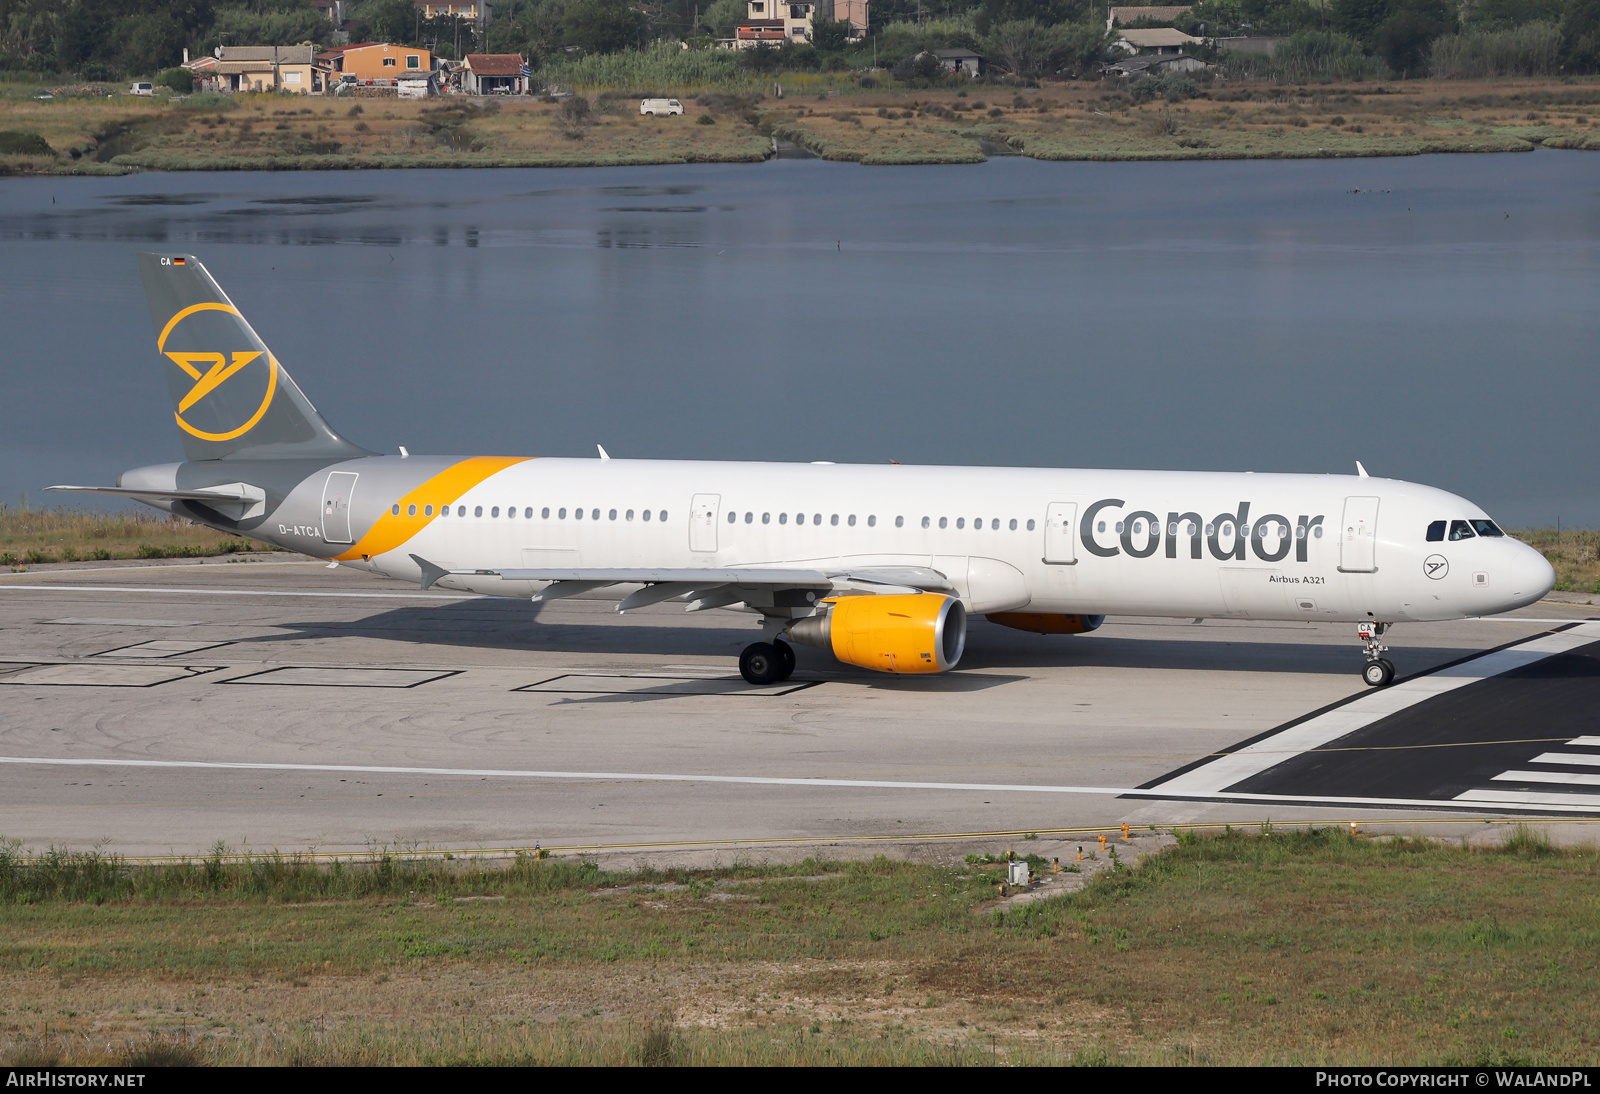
<point x="1217" y="777"/>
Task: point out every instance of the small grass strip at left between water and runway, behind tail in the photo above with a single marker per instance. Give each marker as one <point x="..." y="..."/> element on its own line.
<point x="31" y="537"/>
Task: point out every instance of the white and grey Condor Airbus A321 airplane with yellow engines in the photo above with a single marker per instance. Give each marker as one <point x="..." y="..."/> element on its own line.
<point x="881" y="565"/>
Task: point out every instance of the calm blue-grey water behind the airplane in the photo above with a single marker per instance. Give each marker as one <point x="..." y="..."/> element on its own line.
<point x="1434" y="317"/>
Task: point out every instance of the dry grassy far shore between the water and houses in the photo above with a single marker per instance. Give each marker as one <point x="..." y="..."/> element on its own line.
<point x="825" y="113"/>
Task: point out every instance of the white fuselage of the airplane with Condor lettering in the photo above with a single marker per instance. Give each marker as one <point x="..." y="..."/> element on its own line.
<point x="1009" y="540"/>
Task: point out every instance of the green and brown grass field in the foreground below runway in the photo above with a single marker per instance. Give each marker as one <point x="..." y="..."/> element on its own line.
<point x="1282" y="948"/>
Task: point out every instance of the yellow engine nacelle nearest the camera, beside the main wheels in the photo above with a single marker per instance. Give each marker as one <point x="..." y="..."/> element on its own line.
<point x="911" y="633"/>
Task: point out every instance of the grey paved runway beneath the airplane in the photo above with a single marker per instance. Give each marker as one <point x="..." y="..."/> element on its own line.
<point x="159" y="709"/>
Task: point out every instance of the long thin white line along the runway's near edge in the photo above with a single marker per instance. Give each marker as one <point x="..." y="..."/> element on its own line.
<point x="1564" y="802"/>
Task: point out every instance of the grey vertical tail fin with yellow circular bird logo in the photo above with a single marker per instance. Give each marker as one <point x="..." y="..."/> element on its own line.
<point x="231" y="396"/>
